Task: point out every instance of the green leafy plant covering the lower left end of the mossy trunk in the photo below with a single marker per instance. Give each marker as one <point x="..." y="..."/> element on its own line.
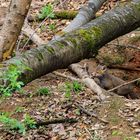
<point x="10" y="78"/>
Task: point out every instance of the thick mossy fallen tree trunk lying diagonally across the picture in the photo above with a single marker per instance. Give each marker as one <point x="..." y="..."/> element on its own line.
<point x="78" y="44"/>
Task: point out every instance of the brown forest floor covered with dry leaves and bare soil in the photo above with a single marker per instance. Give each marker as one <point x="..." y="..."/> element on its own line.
<point x="118" y="118"/>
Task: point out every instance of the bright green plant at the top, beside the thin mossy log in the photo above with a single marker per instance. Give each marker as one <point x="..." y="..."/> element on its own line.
<point x="46" y="11"/>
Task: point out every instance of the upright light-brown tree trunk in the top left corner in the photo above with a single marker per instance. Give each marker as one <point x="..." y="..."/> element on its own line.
<point x="12" y="26"/>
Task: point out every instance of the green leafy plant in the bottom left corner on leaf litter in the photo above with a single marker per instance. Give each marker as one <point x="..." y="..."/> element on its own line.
<point x="12" y="124"/>
